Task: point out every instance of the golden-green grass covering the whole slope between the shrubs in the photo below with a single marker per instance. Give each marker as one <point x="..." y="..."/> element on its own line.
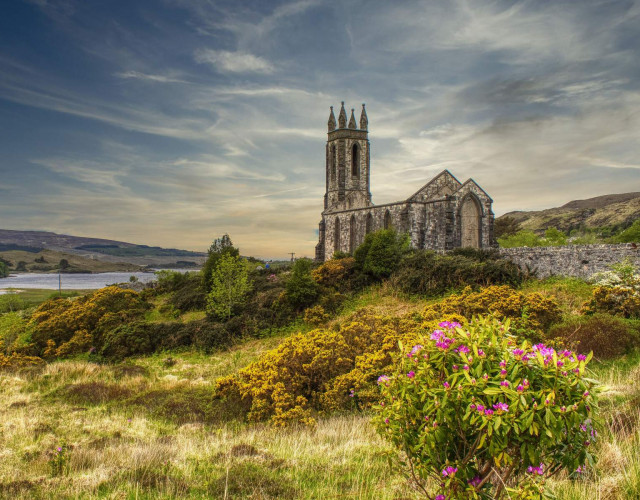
<point x="148" y="428"/>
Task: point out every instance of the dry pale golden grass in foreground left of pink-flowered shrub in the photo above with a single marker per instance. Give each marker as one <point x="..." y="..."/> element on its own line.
<point x="118" y="451"/>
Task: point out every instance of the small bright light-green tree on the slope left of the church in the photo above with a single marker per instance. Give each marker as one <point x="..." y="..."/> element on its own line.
<point x="229" y="286"/>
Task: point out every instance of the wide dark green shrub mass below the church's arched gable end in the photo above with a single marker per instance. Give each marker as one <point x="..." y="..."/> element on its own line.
<point x="427" y="273"/>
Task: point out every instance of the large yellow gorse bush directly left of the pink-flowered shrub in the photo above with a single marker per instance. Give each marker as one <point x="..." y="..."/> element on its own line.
<point x="320" y="371"/>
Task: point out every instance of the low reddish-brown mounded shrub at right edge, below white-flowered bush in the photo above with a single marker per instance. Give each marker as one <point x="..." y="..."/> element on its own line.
<point x="605" y="335"/>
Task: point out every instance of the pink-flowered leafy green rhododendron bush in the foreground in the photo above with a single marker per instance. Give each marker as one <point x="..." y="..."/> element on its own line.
<point x="475" y="412"/>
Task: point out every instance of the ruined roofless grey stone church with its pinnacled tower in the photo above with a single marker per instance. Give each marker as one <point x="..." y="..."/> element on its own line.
<point x="442" y="215"/>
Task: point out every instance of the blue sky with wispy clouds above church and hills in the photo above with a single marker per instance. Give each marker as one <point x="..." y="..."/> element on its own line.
<point x="172" y="122"/>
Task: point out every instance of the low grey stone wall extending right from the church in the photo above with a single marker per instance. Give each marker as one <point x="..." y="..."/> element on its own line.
<point x="579" y="261"/>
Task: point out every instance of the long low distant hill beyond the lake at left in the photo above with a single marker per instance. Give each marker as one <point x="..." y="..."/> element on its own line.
<point x="98" y="248"/>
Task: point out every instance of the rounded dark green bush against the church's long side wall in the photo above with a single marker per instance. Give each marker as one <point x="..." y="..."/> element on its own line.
<point x="381" y="252"/>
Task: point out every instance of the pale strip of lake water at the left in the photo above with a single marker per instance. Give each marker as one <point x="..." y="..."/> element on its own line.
<point x="70" y="281"/>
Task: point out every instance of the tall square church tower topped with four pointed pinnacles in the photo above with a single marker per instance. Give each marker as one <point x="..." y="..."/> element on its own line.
<point x="347" y="162"/>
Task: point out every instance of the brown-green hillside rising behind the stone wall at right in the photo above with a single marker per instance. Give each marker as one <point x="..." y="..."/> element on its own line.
<point x="616" y="211"/>
